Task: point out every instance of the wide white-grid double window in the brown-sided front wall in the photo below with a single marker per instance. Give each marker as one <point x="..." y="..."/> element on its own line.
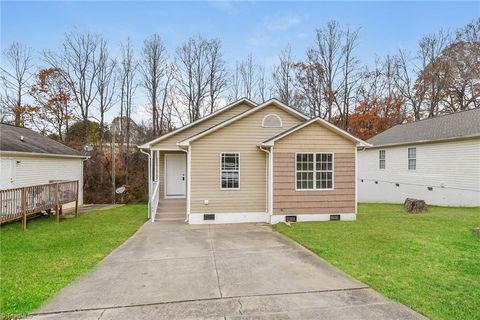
<point x="314" y="171"/>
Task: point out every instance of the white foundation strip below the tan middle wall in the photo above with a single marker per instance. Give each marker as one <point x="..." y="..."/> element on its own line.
<point x="234" y="217"/>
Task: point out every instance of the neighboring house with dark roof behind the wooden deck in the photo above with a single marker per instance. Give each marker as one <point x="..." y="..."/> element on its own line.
<point x="28" y="158"/>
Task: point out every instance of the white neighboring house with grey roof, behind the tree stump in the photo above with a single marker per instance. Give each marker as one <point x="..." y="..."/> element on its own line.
<point x="436" y="159"/>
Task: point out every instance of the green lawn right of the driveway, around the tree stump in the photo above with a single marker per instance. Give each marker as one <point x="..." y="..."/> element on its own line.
<point x="429" y="261"/>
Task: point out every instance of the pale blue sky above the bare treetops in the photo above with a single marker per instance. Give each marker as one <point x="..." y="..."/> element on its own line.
<point x="260" y="28"/>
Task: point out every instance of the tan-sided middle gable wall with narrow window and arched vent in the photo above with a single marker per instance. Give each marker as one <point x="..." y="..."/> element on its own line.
<point x="242" y="136"/>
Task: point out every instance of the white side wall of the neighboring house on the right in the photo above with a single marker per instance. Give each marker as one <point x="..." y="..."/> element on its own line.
<point x="451" y="168"/>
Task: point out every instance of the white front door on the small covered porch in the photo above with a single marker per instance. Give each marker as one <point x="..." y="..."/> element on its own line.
<point x="175" y="175"/>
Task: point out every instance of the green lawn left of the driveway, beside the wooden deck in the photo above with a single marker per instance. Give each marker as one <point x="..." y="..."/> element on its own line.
<point x="37" y="263"/>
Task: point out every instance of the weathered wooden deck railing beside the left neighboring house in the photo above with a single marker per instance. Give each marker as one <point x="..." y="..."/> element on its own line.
<point x="21" y="202"/>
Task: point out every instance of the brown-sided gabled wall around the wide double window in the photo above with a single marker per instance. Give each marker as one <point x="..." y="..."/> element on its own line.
<point x="313" y="138"/>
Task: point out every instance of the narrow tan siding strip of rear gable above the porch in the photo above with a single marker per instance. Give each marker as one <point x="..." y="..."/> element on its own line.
<point x="171" y="142"/>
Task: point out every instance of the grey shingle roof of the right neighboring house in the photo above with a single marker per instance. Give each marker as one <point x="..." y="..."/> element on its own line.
<point x="450" y="126"/>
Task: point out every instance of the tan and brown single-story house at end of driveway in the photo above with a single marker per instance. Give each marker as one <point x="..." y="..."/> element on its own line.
<point x="253" y="163"/>
